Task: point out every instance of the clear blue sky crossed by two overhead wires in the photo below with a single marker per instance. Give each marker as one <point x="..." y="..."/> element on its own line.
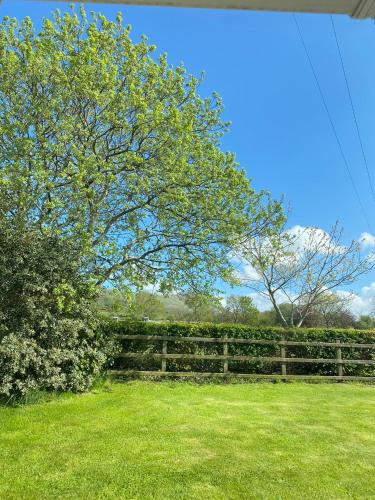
<point x="280" y="132"/>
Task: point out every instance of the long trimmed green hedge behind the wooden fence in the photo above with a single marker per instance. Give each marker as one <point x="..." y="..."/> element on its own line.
<point x="236" y="331"/>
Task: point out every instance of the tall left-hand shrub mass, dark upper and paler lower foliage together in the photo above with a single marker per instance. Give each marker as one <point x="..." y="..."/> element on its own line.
<point x="49" y="338"/>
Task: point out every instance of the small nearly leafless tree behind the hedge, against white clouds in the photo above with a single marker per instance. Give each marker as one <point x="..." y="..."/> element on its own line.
<point x="300" y="267"/>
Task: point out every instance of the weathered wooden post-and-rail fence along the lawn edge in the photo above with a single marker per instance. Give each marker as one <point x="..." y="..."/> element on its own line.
<point x="282" y="359"/>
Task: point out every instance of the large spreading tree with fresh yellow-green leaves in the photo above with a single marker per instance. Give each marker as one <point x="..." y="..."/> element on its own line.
<point x="104" y="144"/>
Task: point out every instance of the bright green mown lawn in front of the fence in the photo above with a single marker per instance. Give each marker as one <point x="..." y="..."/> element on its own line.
<point x="175" y="440"/>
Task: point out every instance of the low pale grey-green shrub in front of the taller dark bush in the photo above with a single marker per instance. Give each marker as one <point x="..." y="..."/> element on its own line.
<point x="71" y="362"/>
